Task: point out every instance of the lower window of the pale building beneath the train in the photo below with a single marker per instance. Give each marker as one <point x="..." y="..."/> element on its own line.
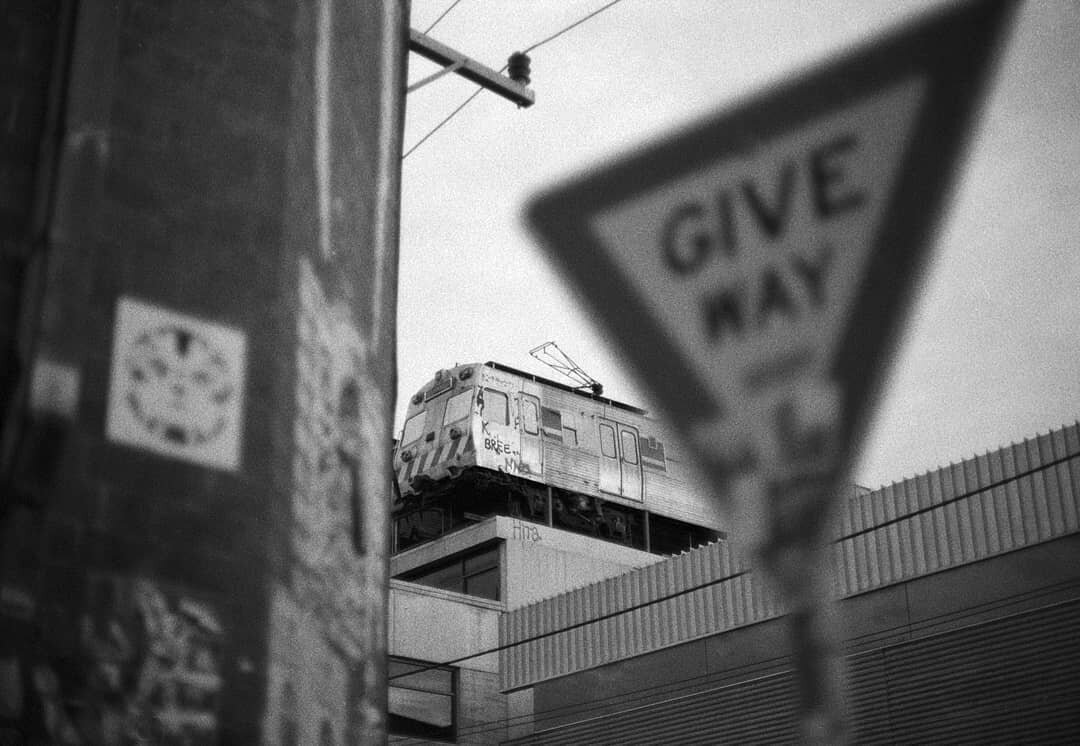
<point x="423" y="700"/>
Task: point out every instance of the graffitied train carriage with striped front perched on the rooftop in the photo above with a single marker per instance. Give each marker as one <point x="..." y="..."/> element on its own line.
<point x="485" y="440"/>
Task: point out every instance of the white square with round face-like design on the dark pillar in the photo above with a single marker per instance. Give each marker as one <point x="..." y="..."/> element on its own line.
<point x="177" y="386"/>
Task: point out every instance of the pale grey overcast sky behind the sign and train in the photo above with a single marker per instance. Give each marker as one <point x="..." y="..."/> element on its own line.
<point x="991" y="352"/>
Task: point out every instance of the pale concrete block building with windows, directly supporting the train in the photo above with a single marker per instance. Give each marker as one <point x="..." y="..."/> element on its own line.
<point x="458" y="590"/>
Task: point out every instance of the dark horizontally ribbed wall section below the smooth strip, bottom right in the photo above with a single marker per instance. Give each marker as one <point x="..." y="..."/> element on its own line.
<point x="1011" y="681"/>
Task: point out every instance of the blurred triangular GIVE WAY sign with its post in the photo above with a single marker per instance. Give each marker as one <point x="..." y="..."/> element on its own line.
<point x="754" y="269"/>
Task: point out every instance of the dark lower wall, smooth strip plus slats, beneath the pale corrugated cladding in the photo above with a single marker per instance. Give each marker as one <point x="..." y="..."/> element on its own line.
<point x="985" y="653"/>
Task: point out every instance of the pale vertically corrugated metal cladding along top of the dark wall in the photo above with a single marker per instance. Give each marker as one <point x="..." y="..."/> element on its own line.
<point x="1017" y="513"/>
